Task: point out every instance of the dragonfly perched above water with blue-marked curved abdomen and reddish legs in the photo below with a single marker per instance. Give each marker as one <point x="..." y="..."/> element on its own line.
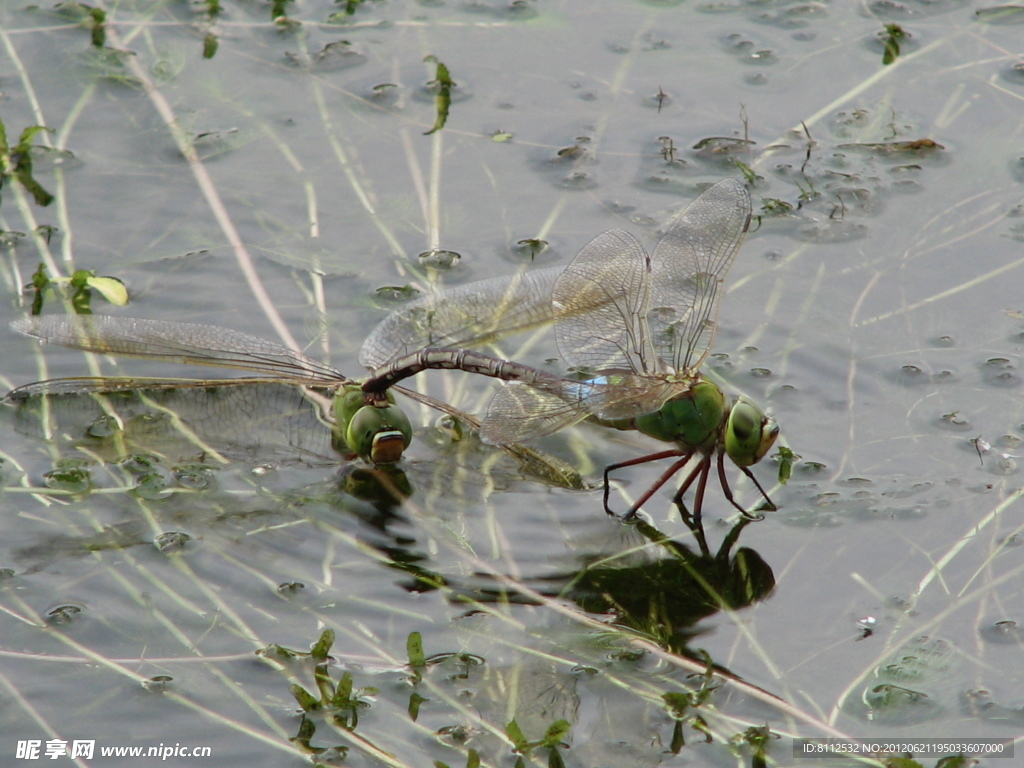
<point x="636" y="326"/>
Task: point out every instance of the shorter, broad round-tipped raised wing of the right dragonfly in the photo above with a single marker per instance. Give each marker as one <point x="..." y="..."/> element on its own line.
<point x="601" y="305"/>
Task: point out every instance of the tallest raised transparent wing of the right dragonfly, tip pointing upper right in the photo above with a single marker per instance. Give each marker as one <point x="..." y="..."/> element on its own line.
<point x="689" y="270"/>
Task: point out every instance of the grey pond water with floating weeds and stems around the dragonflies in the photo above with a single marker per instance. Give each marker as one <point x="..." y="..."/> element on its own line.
<point x="166" y="573"/>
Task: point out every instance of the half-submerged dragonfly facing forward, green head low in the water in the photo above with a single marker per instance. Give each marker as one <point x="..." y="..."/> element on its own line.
<point x="378" y="434"/>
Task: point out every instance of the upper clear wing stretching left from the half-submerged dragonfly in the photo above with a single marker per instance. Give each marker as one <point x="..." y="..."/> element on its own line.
<point x="176" y="343"/>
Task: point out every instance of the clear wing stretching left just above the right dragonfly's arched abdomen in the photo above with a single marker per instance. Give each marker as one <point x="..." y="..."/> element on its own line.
<point x="467" y="316"/>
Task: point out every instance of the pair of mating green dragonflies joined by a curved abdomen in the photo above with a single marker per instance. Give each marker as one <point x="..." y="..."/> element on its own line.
<point x="638" y="327"/>
